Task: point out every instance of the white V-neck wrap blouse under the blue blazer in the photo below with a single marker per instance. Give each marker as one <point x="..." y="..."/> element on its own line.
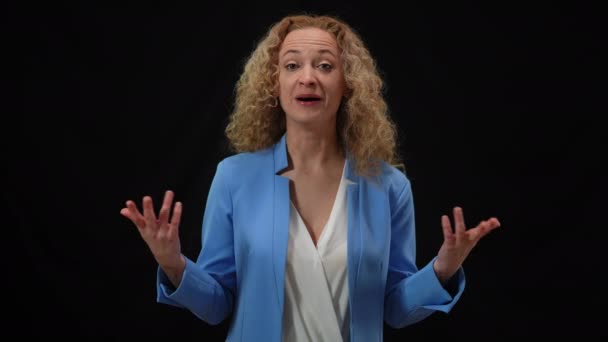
<point x="316" y="283"/>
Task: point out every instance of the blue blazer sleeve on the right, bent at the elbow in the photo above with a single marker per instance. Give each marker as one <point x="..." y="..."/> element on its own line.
<point x="412" y="294"/>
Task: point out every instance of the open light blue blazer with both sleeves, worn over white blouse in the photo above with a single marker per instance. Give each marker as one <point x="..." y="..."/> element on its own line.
<point x="241" y="267"/>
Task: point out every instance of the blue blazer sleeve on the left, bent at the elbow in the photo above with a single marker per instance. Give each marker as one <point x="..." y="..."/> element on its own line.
<point x="208" y="286"/>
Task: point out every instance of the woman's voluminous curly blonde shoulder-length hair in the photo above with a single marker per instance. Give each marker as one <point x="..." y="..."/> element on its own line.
<point x="364" y="128"/>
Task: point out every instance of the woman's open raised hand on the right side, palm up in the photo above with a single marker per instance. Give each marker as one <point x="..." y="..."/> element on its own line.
<point x="458" y="243"/>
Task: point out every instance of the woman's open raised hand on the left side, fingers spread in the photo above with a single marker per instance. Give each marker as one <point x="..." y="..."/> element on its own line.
<point x="161" y="233"/>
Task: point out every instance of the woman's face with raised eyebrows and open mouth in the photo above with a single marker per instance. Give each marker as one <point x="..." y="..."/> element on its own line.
<point x="311" y="79"/>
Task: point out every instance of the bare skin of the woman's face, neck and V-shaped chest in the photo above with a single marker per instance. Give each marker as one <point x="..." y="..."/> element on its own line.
<point x="309" y="63"/>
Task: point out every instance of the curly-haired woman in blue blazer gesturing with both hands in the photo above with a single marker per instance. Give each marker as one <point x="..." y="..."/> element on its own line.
<point x="308" y="233"/>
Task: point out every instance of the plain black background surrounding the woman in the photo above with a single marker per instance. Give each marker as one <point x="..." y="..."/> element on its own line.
<point x="496" y="104"/>
